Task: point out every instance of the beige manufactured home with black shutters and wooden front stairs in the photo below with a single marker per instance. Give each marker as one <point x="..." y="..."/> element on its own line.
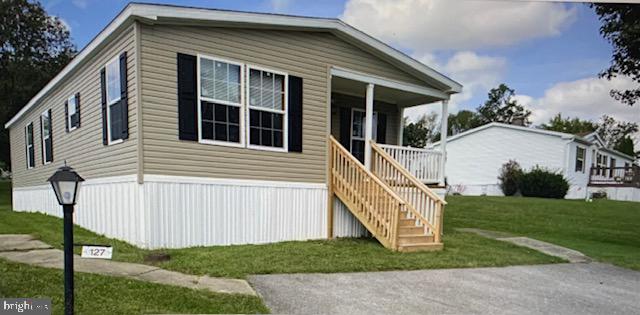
<point x="197" y="127"/>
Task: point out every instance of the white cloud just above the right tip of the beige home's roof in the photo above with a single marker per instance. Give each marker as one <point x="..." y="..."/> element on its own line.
<point x="476" y="73"/>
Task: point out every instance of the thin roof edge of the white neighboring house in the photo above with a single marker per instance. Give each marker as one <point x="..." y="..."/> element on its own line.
<point x="590" y="139"/>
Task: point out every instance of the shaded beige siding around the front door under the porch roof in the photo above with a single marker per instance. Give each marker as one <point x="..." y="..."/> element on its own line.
<point x="340" y="100"/>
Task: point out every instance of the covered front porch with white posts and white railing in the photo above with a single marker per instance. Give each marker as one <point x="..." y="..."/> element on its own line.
<point x="365" y="108"/>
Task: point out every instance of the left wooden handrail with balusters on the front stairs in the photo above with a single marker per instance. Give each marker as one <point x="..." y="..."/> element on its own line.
<point x="375" y="205"/>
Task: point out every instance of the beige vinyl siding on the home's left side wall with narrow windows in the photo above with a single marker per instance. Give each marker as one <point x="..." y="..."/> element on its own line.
<point x="82" y="148"/>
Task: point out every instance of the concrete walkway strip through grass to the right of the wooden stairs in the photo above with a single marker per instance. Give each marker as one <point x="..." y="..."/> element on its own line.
<point x="570" y="255"/>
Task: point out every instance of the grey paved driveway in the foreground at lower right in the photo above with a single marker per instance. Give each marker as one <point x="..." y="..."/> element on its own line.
<point x="591" y="288"/>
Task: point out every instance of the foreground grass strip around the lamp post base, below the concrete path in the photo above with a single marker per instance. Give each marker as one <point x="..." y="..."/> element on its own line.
<point x="96" y="294"/>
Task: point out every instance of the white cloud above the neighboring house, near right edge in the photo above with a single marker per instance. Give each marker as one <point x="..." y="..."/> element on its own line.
<point x="586" y="98"/>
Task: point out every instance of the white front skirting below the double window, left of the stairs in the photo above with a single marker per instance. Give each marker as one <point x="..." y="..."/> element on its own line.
<point x="186" y="212"/>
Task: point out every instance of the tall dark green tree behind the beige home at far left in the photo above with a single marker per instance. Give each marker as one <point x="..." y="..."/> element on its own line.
<point x="35" y="47"/>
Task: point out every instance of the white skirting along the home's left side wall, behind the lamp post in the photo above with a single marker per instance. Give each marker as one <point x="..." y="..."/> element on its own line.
<point x="108" y="206"/>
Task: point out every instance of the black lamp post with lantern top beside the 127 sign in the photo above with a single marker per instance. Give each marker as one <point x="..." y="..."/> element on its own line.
<point x="66" y="184"/>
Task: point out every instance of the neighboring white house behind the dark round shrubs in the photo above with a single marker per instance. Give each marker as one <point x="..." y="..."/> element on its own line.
<point x="474" y="159"/>
